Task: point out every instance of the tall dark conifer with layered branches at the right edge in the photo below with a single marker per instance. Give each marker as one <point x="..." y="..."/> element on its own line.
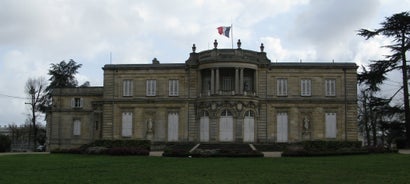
<point x="397" y="27"/>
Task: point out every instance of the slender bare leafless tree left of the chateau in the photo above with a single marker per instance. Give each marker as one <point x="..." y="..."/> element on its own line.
<point x="35" y="89"/>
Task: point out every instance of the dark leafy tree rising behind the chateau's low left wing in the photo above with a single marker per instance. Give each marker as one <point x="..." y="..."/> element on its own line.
<point x="62" y="75"/>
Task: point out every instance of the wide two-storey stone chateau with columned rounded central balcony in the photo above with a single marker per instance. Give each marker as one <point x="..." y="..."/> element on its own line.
<point x="217" y="95"/>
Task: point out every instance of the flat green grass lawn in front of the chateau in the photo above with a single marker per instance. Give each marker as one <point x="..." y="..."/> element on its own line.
<point x="66" y="168"/>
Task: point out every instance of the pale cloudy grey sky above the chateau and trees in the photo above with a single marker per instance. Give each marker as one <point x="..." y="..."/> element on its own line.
<point x="36" y="33"/>
